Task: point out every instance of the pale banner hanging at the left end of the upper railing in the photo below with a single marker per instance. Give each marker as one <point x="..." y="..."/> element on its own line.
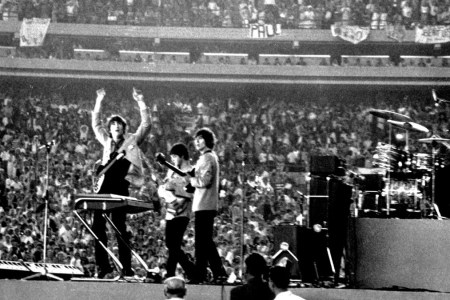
<point x="33" y="31"/>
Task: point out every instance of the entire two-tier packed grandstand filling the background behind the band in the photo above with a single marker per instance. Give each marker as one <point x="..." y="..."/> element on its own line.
<point x="266" y="134"/>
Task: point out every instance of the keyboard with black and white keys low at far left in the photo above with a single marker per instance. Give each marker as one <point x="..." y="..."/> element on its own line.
<point x="18" y="270"/>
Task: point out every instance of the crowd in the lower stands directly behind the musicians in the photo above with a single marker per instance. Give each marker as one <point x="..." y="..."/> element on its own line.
<point x="264" y="146"/>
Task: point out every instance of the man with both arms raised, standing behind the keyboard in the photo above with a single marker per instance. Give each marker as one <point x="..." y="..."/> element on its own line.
<point x="122" y="159"/>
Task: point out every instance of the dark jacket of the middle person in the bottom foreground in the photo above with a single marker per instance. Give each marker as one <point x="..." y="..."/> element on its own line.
<point x="254" y="289"/>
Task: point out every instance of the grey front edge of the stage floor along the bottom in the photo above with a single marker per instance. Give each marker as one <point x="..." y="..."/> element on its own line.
<point x="70" y="290"/>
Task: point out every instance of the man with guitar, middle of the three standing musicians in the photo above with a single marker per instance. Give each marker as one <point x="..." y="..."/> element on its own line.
<point x="178" y="204"/>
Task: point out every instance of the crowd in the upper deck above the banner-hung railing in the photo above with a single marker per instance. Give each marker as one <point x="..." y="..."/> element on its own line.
<point x="291" y="14"/>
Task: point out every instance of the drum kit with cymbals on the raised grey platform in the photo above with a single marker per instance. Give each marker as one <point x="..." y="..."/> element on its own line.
<point x="409" y="177"/>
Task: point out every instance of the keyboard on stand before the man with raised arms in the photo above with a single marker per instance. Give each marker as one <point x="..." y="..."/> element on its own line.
<point x="108" y="202"/>
